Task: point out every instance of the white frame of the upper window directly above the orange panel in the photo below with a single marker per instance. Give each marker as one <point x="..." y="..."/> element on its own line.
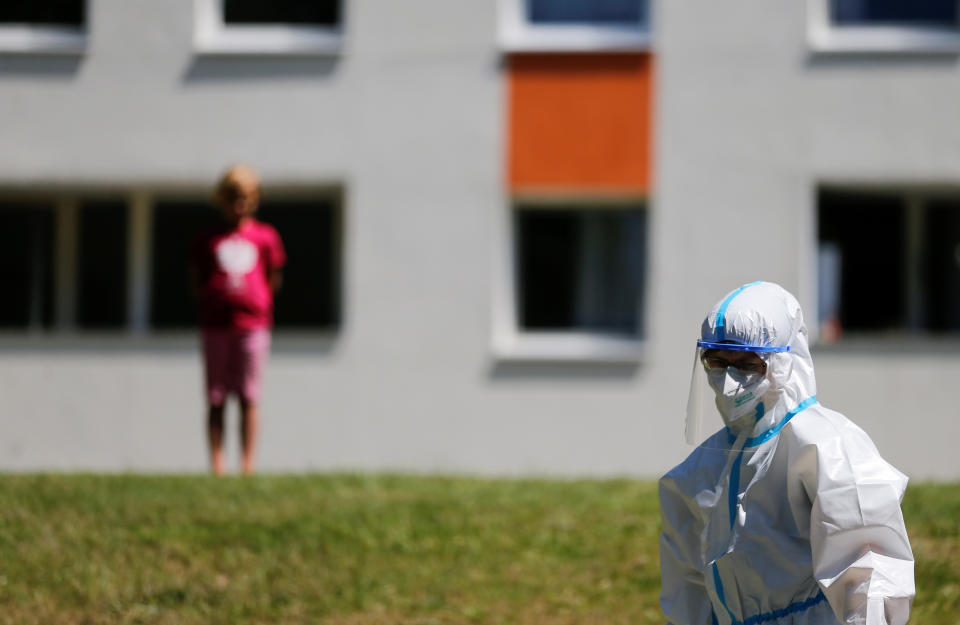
<point x="517" y="34"/>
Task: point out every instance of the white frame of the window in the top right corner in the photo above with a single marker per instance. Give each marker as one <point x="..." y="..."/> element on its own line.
<point x="824" y="36"/>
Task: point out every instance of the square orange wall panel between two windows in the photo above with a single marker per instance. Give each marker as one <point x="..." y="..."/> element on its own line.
<point x="580" y="122"/>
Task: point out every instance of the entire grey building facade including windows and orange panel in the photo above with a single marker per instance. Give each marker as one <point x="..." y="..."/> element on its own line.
<point x="505" y="220"/>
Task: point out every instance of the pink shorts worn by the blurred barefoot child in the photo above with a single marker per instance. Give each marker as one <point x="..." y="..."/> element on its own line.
<point x="234" y="362"/>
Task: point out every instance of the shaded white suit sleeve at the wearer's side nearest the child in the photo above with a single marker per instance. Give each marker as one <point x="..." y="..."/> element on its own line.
<point x="683" y="596"/>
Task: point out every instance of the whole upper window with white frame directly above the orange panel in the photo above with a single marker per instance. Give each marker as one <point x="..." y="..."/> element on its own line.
<point x="574" y="25"/>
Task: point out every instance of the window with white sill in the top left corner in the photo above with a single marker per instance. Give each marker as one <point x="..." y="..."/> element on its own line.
<point x="52" y="26"/>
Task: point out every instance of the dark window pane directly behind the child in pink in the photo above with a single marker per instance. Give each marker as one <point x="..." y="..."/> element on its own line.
<point x="310" y="230"/>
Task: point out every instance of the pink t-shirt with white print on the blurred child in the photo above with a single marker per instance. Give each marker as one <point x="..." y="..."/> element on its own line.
<point x="233" y="266"/>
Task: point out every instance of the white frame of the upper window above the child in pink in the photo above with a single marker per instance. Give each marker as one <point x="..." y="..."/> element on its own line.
<point x="213" y="36"/>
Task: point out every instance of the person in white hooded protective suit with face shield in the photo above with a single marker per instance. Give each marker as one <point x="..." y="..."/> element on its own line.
<point x="787" y="515"/>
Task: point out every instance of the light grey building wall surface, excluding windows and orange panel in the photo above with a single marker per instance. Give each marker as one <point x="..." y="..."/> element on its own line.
<point x="410" y="120"/>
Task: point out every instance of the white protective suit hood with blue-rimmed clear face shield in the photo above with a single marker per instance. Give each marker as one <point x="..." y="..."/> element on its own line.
<point x="760" y="317"/>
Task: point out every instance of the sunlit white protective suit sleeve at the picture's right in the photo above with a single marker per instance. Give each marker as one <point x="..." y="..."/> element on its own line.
<point x="861" y="553"/>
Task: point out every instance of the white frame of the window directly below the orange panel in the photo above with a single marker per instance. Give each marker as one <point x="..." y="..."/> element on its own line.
<point x="511" y="342"/>
